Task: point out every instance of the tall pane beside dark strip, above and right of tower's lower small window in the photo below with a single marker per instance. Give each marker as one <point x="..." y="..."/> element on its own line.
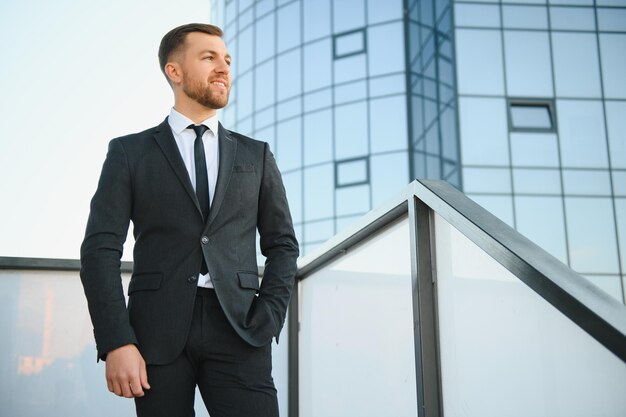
<point x="388" y="124"/>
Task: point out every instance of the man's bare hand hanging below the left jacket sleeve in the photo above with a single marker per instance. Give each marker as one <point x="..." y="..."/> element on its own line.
<point x="126" y="372"/>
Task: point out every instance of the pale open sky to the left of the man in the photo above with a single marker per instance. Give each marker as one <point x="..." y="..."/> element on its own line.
<point x="74" y="75"/>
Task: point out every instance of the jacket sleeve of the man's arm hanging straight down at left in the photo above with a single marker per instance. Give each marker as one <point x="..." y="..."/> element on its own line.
<point x="101" y="253"/>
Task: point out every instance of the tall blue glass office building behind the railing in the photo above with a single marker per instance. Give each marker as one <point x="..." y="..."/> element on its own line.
<point x="521" y="105"/>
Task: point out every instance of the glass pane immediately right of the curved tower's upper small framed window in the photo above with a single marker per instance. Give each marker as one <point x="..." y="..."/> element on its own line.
<point x="383" y="56"/>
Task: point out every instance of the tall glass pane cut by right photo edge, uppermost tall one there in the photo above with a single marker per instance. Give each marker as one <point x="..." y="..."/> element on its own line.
<point x="612" y="47"/>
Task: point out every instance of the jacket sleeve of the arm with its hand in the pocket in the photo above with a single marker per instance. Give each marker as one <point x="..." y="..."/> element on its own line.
<point x="278" y="243"/>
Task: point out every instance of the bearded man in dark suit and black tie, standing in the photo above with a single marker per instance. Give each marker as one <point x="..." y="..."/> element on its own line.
<point x="196" y="314"/>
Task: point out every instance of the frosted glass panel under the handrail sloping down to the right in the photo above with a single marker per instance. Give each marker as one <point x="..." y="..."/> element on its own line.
<point x="505" y="351"/>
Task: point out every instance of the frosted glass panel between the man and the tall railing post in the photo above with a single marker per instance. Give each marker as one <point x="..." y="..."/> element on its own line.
<point x="356" y="337"/>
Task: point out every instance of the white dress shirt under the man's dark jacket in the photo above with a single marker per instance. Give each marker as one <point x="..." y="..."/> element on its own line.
<point x="185" y="139"/>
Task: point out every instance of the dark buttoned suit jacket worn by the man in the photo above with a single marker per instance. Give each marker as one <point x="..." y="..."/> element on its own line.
<point x="144" y="180"/>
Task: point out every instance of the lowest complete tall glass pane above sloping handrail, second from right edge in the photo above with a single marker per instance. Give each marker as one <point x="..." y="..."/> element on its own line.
<point x="591" y="232"/>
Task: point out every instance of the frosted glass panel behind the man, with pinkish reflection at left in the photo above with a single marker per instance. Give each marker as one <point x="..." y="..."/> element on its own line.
<point x="48" y="355"/>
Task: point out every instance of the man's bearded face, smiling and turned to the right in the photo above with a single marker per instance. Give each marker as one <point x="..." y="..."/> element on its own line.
<point x="205" y="67"/>
